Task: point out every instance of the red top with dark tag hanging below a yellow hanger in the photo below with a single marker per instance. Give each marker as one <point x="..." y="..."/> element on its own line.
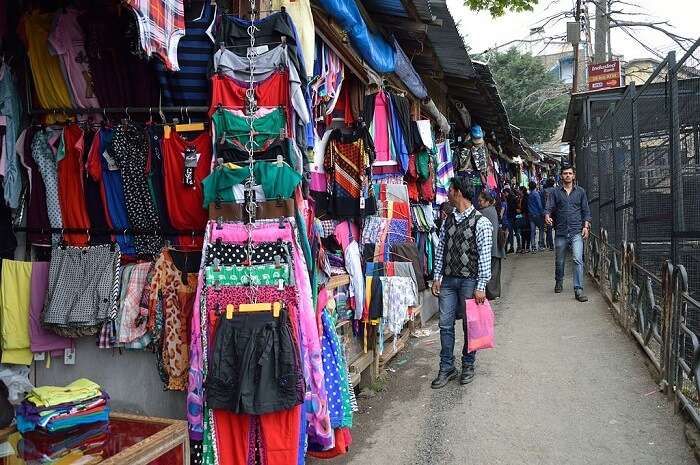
<point x="183" y="201"/>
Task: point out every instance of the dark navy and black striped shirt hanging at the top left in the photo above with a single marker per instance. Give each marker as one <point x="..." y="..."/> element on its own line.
<point x="189" y="86"/>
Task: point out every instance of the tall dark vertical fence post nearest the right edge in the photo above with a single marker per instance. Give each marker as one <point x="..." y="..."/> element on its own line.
<point x="675" y="157"/>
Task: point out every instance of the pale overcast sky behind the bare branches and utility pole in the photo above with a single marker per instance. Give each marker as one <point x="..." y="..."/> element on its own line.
<point x="483" y="32"/>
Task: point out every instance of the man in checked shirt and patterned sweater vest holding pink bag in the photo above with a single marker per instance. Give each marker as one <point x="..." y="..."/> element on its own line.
<point x="462" y="269"/>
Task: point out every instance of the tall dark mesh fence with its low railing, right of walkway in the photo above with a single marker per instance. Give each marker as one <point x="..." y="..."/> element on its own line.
<point x="640" y="164"/>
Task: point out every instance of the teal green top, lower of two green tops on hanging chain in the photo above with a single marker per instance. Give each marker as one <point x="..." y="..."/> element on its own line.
<point x="278" y="181"/>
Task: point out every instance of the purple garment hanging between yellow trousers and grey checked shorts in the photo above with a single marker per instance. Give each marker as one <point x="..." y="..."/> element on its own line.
<point x="40" y="339"/>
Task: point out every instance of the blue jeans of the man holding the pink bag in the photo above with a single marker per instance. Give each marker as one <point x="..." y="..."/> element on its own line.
<point x="454" y="292"/>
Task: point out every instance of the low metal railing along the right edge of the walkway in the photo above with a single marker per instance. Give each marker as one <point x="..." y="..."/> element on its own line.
<point x="658" y="313"/>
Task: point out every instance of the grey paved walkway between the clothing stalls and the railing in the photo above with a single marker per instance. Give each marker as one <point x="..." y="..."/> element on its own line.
<point x="564" y="386"/>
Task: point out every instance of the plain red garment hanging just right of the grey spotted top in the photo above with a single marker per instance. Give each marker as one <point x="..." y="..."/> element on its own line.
<point x="71" y="194"/>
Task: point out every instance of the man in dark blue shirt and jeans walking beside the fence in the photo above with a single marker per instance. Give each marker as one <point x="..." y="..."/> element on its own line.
<point x="567" y="209"/>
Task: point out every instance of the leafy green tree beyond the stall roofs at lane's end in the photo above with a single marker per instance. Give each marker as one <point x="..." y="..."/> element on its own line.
<point x="536" y="101"/>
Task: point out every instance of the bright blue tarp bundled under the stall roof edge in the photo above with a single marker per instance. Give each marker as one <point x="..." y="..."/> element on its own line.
<point x="372" y="47"/>
